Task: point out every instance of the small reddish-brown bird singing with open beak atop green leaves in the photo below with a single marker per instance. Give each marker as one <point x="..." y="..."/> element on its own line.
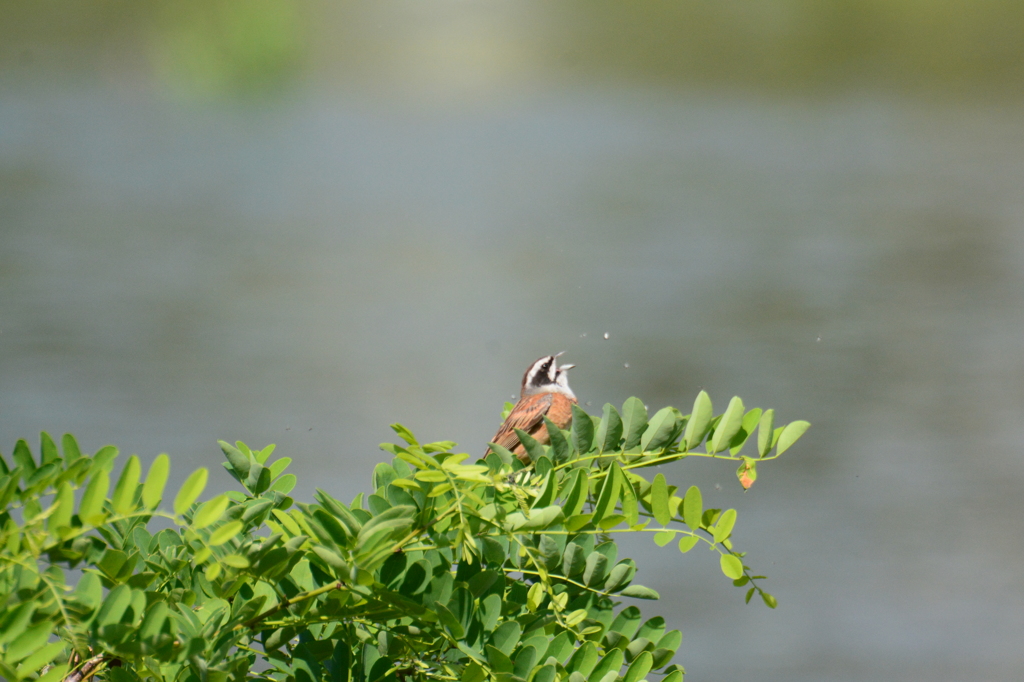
<point x="545" y="393"/>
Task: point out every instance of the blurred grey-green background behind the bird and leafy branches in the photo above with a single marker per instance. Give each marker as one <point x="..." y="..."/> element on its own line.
<point x="300" y="223"/>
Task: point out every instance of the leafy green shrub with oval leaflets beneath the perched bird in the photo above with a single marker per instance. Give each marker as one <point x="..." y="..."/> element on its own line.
<point x="449" y="570"/>
